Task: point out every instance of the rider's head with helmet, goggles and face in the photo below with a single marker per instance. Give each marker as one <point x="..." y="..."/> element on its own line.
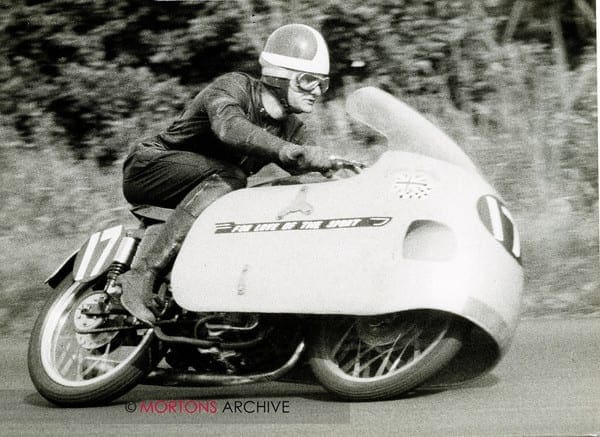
<point x="295" y="66"/>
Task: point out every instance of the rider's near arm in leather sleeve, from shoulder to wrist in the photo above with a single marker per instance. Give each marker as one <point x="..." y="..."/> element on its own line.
<point x="224" y="101"/>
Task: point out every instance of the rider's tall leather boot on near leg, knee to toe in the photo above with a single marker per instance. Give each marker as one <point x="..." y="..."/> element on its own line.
<point x="140" y="284"/>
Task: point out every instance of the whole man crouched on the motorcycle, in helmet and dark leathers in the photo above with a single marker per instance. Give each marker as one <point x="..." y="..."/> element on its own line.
<point x="232" y="128"/>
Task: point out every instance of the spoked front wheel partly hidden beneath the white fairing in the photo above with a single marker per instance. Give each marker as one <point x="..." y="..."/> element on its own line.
<point x="375" y="358"/>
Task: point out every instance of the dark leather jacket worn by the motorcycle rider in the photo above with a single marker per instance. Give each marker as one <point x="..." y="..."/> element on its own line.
<point x="227" y="120"/>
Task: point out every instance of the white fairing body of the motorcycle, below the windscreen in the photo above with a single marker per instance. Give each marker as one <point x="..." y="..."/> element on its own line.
<point x="353" y="270"/>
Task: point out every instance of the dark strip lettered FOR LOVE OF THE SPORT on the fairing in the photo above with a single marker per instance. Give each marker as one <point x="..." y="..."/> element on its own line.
<point x="301" y="225"/>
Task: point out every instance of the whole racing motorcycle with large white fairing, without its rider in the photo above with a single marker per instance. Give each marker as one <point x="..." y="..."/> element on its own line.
<point x="406" y="272"/>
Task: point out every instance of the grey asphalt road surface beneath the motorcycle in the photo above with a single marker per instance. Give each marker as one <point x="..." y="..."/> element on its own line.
<point x="548" y="384"/>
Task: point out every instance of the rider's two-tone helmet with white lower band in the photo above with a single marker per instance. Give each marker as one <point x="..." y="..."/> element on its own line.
<point x="293" y="48"/>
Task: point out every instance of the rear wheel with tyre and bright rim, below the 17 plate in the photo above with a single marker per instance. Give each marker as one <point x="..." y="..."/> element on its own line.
<point x="106" y="365"/>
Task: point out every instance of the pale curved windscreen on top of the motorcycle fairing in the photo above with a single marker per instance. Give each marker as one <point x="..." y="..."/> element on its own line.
<point x="405" y="129"/>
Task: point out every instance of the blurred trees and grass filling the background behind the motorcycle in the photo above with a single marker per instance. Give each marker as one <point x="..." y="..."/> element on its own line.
<point x="80" y="80"/>
